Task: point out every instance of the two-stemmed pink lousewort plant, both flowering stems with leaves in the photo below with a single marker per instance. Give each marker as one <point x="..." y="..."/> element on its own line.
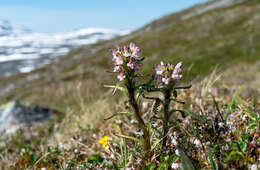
<point x="127" y="63"/>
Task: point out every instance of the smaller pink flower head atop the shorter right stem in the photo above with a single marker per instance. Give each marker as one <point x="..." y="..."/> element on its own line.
<point x="165" y="74"/>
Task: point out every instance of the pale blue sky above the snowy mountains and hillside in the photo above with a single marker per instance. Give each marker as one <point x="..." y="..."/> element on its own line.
<point x="51" y="16"/>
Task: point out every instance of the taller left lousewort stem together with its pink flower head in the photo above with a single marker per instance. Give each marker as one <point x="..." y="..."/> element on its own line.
<point x="127" y="63"/>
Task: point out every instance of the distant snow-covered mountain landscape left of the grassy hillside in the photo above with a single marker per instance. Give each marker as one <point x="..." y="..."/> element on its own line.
<point x="22" y="50"/>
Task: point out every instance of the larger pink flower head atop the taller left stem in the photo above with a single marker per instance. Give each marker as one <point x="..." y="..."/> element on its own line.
<point x="126" y="60"/>
